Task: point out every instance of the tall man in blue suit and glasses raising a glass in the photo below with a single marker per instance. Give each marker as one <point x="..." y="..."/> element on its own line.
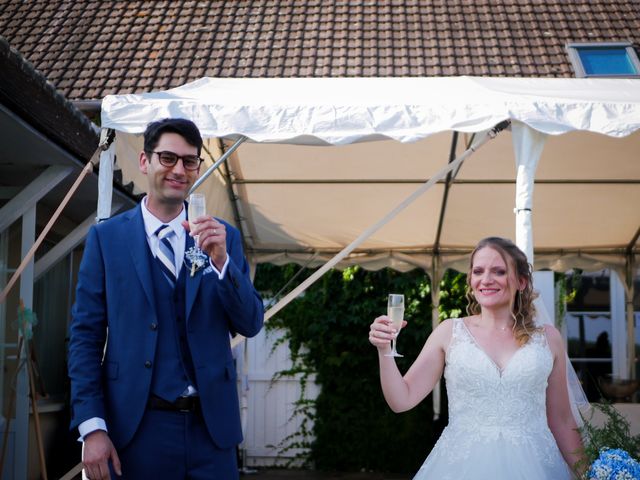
<point x="153" y="384"/>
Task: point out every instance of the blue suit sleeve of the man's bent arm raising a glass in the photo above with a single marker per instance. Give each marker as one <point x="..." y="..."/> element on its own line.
<point x="240" y="299"/>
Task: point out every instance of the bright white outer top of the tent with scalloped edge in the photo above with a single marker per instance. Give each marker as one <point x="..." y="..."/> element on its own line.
<point x="347" y="110"/>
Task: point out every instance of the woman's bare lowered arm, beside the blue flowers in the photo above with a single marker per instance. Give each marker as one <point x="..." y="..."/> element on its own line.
<point x="559" y="416"/>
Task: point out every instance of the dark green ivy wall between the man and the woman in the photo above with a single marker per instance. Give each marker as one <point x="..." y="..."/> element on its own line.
<point x="327" y="330"/>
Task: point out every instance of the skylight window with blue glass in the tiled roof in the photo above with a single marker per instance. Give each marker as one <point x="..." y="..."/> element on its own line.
<point x="607" y="59"/>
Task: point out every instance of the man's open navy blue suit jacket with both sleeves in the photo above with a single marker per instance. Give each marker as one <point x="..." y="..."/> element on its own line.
<point x="111" y="373"/>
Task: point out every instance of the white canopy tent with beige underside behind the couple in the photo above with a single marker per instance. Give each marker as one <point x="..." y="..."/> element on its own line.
<point x="325" y="158"/>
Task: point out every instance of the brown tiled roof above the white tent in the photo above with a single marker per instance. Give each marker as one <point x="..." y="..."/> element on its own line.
<point x="92" y="48"/>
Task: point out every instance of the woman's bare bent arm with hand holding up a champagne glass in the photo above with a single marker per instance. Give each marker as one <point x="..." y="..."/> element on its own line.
<point x="404" y="393"/>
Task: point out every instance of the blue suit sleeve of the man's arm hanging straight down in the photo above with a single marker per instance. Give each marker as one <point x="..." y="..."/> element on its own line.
<point x="88" y="335"/>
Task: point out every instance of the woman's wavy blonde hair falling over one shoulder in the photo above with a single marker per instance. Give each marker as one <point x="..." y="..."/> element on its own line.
<point x="522" y="309"/>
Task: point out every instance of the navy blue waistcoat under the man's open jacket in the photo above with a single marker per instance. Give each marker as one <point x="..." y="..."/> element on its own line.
<point x="172" y="367"/>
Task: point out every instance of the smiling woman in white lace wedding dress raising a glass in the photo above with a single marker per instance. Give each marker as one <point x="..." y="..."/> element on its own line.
<point x="509" y="410"/>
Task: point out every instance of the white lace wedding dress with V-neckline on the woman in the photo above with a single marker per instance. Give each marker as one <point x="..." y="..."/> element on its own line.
<point x="497" y="419"/>
